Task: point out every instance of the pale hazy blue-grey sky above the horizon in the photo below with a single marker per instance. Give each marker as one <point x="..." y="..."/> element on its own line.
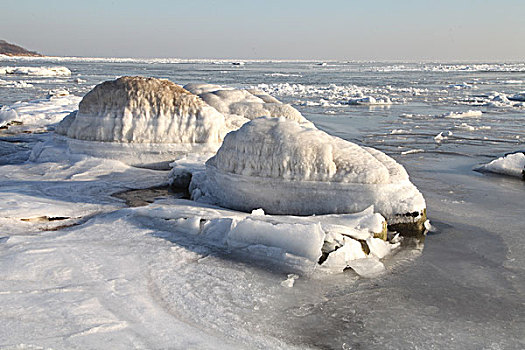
<point x="347" y="30"/>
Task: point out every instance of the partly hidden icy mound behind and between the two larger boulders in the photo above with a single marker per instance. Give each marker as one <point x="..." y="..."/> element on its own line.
<point x="242" y="104"/>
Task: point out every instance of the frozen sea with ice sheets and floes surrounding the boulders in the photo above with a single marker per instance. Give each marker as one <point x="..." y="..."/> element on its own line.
<point x="107" y="277"/>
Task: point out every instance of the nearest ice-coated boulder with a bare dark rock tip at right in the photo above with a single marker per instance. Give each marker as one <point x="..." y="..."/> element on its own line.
<point x="288" y="168"/>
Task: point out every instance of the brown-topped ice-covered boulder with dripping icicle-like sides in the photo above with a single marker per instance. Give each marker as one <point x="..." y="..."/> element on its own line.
<point x="144" y="110"/>
